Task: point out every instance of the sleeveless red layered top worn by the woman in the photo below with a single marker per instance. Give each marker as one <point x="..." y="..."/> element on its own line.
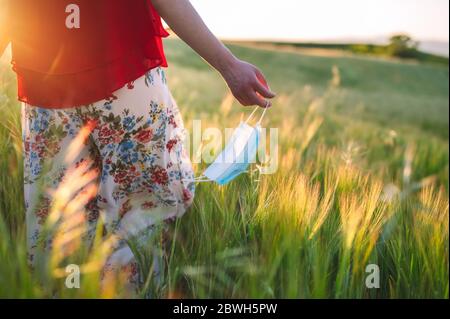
<point x="57" y="67"/>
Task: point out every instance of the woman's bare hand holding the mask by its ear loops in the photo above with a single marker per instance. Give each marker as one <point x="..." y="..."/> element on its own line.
<point x="247" y="84"/>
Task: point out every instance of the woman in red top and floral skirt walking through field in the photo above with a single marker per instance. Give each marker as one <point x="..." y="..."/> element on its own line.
<point x="98" y="64"/>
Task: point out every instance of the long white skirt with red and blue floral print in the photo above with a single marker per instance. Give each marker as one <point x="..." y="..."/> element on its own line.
<point x="135" y="140"/>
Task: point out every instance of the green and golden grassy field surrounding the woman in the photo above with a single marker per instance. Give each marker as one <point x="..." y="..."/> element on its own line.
<point x="362" y="179"/>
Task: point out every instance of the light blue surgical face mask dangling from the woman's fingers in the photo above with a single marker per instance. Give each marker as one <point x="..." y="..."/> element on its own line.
<point x="237" y="155"/>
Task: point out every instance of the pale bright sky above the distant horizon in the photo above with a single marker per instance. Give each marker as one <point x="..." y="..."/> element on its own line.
<point x="316" y="20"/>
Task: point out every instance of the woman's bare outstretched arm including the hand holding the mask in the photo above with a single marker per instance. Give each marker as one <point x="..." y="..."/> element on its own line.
<point x="245" y="81"/>
